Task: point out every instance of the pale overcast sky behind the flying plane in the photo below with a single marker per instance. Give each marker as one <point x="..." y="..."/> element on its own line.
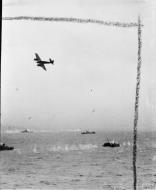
<point x="92" y="84"/>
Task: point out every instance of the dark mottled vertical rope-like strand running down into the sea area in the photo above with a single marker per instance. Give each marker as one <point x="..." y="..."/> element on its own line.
<point x="137" y="105"/>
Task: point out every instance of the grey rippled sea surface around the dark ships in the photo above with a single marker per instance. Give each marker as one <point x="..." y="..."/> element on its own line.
<point x="70" y="160"/>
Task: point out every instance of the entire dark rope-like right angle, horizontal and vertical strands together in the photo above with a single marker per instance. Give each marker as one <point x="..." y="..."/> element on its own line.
<point x="107" y="23"/>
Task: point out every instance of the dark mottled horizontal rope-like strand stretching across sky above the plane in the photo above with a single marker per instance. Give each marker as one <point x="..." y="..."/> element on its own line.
<point x="73" y="20"/>
